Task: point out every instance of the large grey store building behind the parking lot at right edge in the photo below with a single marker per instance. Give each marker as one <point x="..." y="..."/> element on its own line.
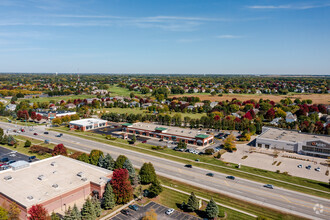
<point x="294" y="141"/>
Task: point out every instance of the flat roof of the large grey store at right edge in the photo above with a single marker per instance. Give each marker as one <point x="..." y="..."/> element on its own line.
<point x="291" y="136"/>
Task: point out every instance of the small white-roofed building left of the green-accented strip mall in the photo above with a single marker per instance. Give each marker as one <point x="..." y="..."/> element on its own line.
<point x="88" y="124"/>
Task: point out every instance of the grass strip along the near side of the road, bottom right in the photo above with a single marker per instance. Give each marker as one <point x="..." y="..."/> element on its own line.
<point x="171" y="198"/>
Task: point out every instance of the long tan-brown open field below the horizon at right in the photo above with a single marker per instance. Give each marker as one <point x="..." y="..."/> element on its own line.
<point x="317" y="98"/>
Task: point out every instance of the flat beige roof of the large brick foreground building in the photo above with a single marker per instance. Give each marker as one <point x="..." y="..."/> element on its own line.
<point x="49" y="178"/>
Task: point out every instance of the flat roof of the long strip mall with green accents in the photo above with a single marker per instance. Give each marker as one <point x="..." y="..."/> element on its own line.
<point x="168" y="129"/>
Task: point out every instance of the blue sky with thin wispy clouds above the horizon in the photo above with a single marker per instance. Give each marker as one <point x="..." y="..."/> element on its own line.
<point x="172" y="36"/>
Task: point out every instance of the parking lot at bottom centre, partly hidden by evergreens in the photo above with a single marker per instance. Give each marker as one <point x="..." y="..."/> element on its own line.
<point x="160" y="211"/>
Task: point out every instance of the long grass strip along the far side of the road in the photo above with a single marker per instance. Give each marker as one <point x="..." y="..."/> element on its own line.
<point x="211" y="163"/>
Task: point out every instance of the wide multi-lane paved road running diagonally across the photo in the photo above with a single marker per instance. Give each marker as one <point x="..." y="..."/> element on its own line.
<point x="278" y="198"/>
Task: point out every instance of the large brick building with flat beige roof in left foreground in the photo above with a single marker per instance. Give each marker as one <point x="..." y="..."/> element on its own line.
<point x="56" y="183"/>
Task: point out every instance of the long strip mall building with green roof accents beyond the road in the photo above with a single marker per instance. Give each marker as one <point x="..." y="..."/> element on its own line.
<point x="189" y="136"/>
